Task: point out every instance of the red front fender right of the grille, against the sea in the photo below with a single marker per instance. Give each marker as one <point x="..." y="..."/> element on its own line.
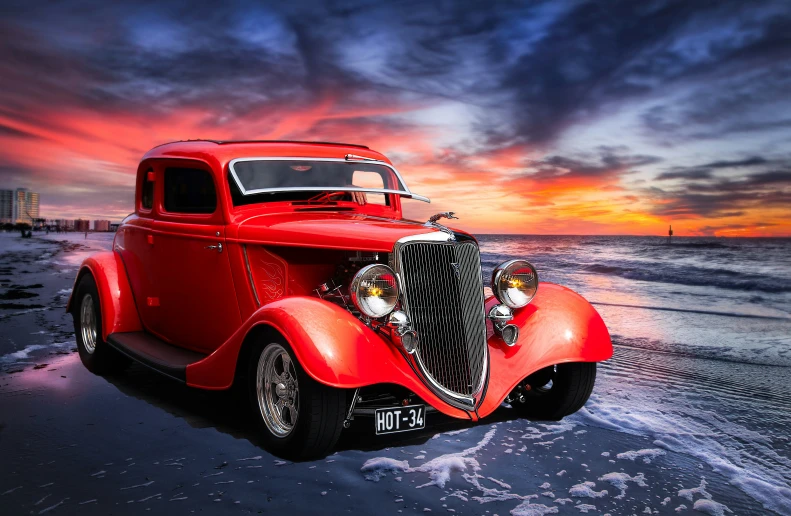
<point x="558" y="326"/>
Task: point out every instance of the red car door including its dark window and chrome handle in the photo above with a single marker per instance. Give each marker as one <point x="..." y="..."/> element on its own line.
<point x="197" y="302"/>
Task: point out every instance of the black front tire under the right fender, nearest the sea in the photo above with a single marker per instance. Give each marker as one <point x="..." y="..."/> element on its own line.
<point x="571" y="386"/>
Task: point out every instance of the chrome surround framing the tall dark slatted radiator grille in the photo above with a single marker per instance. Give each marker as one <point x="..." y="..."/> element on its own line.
<point x="461" y="401"/>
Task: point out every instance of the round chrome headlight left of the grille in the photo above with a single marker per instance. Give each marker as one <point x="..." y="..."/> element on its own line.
<point x="374" y="290"/>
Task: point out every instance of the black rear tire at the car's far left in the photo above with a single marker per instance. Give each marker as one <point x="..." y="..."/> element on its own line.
<point x="97" y="356"/>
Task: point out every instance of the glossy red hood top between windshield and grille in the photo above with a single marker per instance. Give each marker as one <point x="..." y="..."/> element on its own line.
<point x="328" y="230"/>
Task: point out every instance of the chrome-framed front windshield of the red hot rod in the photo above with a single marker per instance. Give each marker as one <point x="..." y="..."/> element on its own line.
<point x="257" y="176"/>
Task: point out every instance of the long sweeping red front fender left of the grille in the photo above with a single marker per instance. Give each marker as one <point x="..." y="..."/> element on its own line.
<point x="333" y="346"/>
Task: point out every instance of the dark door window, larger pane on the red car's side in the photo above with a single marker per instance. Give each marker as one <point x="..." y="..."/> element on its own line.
<point x="189" y="190"/>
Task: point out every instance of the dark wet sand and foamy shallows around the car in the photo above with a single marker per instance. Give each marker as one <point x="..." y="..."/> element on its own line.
<point x="664" y="433"/>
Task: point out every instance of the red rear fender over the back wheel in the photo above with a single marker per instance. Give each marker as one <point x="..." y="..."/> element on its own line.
<point x="119" y="313"/>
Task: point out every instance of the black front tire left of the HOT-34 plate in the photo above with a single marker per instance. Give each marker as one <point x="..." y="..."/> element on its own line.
<point x="320" y="409"/>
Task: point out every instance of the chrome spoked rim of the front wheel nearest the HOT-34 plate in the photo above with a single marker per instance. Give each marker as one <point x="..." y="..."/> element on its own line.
<point x="277" y="390"/>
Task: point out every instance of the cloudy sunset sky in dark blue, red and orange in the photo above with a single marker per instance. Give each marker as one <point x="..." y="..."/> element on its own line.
<point x="535" y="117"/>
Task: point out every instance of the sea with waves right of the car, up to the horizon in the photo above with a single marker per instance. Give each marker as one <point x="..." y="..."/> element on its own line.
<point x="720" y="298"/>
